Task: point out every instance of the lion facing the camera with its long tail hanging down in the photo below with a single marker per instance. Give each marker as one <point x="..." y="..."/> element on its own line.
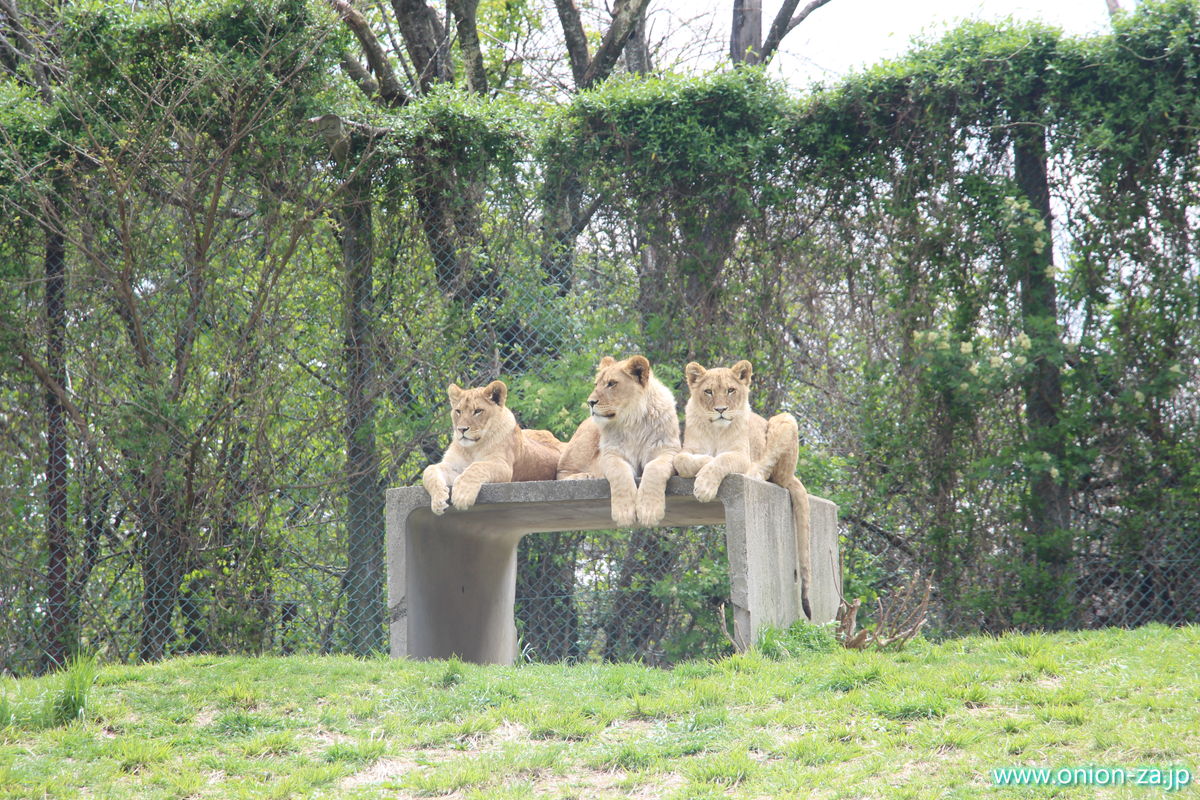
<point x="723" y="436"/>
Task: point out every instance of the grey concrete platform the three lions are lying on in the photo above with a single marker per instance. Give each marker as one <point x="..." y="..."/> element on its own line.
<point x="452" y="580"/>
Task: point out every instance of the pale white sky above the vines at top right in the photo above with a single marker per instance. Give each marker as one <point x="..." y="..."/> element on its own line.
<point x="847" y="35"/>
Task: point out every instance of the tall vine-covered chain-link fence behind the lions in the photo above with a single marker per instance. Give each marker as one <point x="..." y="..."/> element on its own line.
<point x="236" y="288"/>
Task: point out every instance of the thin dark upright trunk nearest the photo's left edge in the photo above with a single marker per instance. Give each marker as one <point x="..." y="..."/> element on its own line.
<point x="61" y="634"/>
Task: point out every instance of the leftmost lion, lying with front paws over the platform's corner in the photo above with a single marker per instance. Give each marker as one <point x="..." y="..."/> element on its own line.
<point x="488" y="447"/>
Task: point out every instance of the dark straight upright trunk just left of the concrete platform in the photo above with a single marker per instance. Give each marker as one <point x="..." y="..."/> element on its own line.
<point x="364" y="500"/>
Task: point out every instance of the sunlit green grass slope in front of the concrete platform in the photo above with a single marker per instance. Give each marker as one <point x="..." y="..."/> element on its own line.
<point x="795" y="719"/>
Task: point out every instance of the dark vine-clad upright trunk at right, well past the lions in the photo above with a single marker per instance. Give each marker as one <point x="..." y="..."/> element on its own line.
<point x="1048" y="539"/>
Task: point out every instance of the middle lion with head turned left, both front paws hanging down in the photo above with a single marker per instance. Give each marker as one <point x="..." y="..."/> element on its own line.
<point x="633" y="431"/>
